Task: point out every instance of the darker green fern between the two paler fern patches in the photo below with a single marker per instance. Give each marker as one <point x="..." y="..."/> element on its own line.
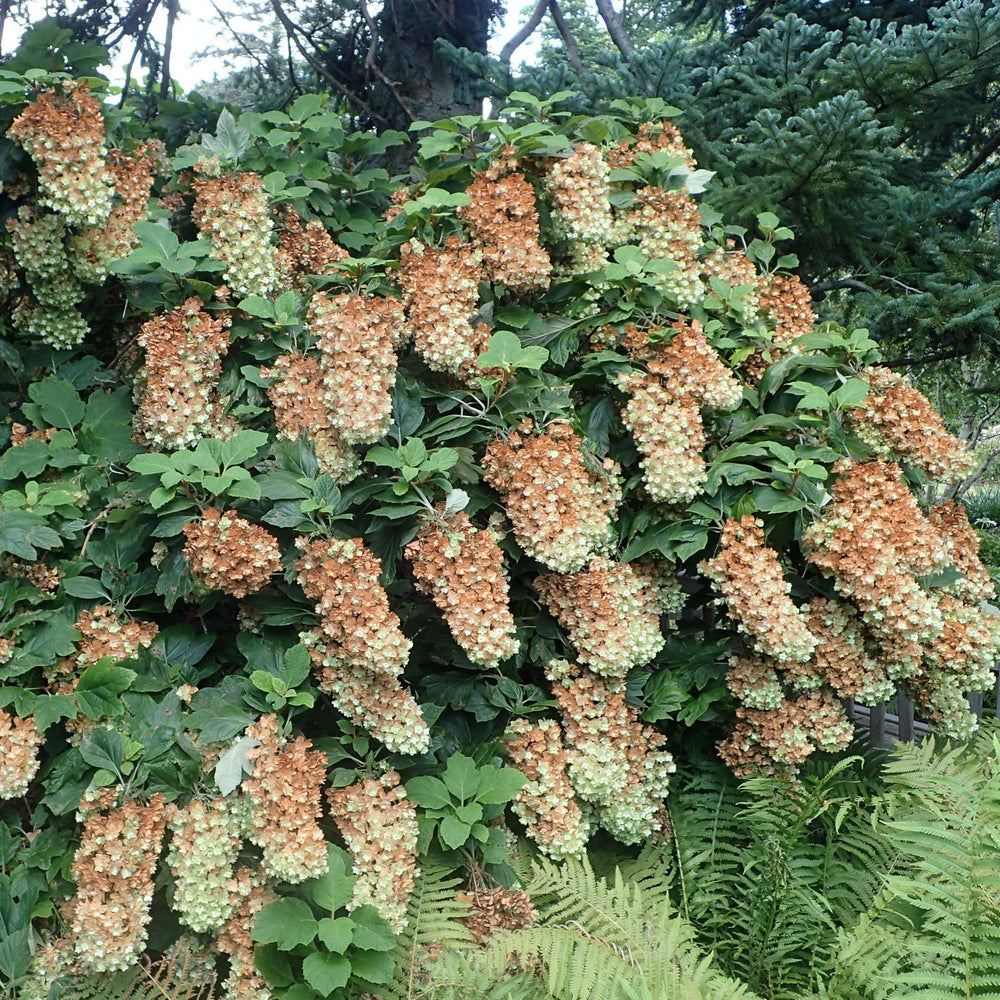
<point x="769" y="871"/>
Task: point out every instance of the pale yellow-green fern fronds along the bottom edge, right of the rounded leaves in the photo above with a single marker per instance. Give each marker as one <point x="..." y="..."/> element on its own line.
<point x="599" y="939"/>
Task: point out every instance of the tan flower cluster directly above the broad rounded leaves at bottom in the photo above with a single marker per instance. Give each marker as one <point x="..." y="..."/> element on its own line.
<point x="379" y="826"/>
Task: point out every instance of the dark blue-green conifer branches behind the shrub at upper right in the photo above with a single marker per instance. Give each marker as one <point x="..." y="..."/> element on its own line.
<point x="869" y="128"/>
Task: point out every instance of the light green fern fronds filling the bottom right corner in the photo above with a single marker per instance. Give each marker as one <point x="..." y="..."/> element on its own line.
<point x="934" y="930"/>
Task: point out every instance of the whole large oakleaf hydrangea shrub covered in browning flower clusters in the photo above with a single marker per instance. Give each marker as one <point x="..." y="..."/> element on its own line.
<point x="335" y="521"/>
